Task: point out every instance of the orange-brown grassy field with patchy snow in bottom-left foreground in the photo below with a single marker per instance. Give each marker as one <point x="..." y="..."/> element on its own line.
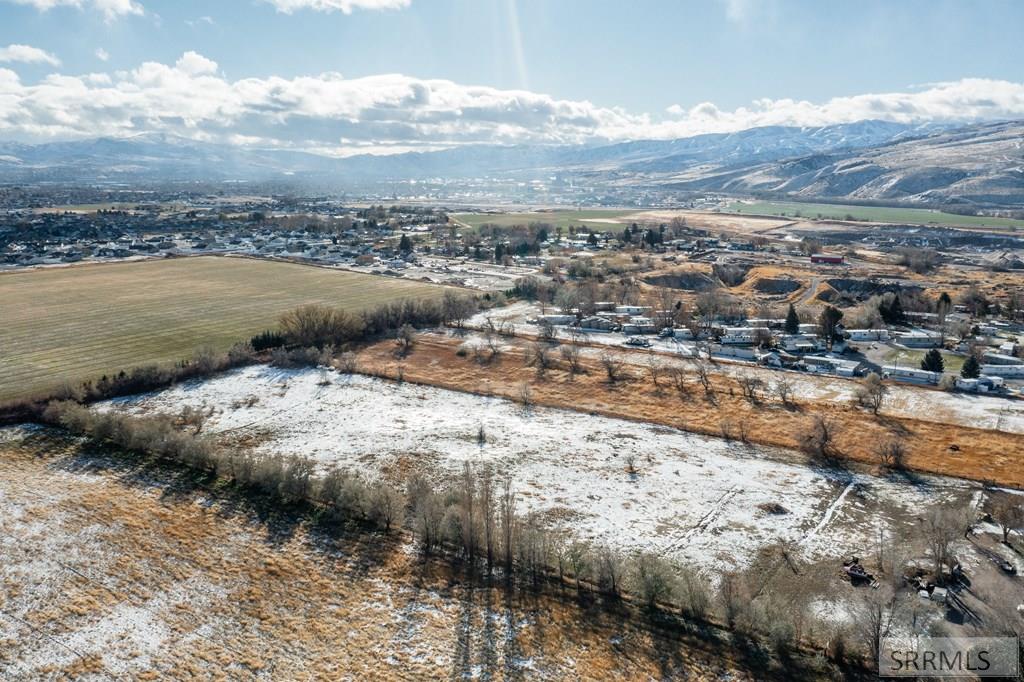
<point x="113" y="569"/>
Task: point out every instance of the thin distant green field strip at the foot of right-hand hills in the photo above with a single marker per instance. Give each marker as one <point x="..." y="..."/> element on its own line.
<point x="872" y="215"/>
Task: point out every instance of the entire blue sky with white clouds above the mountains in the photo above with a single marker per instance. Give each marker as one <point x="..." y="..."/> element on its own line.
<point x="340" y="77"/>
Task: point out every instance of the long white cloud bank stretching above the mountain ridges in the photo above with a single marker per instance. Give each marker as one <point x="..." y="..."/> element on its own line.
<point x="331" y="114"/>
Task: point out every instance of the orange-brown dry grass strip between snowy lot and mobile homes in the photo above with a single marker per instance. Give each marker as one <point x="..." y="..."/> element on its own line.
<point x="980" y="454"/>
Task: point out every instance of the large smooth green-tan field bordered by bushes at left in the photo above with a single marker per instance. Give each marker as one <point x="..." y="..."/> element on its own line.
<point x="79" y="323"/>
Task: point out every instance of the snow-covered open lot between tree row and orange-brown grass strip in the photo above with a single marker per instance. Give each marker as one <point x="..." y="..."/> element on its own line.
<point x="704" y="501"/>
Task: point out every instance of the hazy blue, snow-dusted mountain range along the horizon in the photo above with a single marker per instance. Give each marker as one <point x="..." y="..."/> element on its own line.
<point x="869" y="160"/>
